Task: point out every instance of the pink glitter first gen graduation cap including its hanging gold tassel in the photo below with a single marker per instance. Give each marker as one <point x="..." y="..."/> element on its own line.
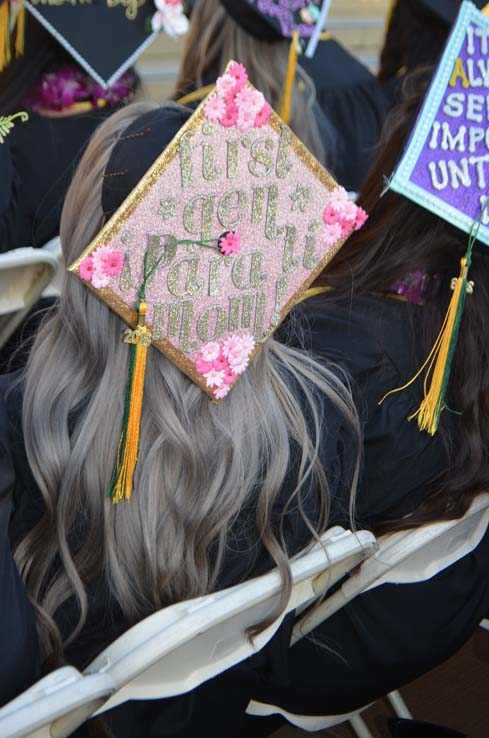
<point x="206" y="252"/>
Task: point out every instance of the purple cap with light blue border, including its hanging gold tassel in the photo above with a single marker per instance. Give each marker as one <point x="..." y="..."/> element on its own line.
<point x="445" y="169"/>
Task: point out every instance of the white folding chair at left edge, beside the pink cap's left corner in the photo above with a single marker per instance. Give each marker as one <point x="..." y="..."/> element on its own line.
<point x="24" y="274"/>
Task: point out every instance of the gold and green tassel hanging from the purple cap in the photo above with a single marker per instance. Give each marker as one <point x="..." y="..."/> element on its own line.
<point x="438" y="364"/>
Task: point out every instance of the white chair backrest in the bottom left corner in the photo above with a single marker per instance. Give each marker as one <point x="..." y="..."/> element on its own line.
<point x="55" y="706"/>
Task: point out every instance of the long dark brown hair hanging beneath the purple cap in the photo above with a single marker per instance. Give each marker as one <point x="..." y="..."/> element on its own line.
<point x="399" y="238"/>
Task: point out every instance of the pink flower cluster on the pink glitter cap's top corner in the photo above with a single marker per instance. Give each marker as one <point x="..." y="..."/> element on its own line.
<point x="235" y="104"/>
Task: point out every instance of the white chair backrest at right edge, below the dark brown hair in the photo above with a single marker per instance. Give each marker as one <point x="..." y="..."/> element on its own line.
<point x="407" y="556"/>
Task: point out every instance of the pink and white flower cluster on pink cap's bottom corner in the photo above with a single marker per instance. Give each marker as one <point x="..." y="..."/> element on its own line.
<point x="222" y="362"/>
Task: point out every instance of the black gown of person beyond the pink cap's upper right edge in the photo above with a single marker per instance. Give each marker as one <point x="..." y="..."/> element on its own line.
<point x="355" y="103"/>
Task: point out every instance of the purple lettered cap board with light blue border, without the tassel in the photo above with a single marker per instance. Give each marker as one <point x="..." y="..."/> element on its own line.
<point x="445" y="167"/>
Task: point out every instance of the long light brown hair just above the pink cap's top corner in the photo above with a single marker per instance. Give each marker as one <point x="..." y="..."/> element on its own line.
<point x="214" y="38"/>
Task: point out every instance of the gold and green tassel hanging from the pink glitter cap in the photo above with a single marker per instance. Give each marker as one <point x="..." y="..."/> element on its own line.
<point x="121" y="484"/>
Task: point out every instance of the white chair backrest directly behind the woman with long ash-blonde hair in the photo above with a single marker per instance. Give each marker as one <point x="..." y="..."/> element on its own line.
<point x="178" y="648"/>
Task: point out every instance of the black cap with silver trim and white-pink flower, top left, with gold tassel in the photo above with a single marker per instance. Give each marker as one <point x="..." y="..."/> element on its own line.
<point x="104" y="36"/>
